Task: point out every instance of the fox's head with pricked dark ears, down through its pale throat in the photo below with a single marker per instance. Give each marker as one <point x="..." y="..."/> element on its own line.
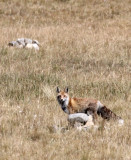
<point x="63" y="99"/>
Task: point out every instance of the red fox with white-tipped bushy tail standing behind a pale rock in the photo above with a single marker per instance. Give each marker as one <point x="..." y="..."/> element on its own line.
<point x="85" y="105"/>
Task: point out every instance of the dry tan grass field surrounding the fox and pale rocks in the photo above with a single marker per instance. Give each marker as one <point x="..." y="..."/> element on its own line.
<point x="85" y="46"/>
